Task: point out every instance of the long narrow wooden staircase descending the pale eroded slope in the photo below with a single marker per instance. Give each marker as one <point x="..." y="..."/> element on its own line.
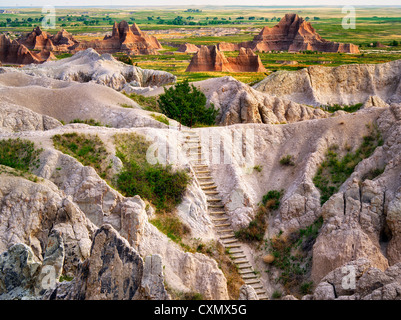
<point x="218" y="214"/>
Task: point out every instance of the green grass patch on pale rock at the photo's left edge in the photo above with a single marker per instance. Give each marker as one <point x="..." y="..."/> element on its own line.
<point x="19" y="154"/>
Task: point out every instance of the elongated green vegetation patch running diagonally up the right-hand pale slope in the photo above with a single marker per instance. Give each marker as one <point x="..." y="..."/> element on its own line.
<point x="335" y="170"/>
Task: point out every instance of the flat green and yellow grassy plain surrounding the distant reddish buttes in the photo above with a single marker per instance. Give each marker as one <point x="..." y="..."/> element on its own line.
<point x="210" y="25"/>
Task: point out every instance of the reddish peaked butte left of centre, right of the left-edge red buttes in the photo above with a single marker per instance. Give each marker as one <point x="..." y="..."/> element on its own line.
<point x="124" y="38"/>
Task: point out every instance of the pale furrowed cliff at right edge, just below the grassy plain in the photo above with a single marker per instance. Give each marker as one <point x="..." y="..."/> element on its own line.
<point x="343" y="85"/>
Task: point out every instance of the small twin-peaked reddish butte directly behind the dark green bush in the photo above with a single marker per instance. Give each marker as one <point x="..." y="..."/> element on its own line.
<point x="211" y="59"/>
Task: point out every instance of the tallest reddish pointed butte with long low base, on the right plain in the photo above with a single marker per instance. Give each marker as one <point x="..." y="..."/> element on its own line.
<point x="292" y="34"/>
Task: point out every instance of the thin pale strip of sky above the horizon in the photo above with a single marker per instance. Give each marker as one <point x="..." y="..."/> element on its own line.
<point x="39" y="3"/>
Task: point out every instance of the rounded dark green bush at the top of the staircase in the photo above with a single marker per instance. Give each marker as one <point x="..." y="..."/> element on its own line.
<point x="186" y="104"/>
